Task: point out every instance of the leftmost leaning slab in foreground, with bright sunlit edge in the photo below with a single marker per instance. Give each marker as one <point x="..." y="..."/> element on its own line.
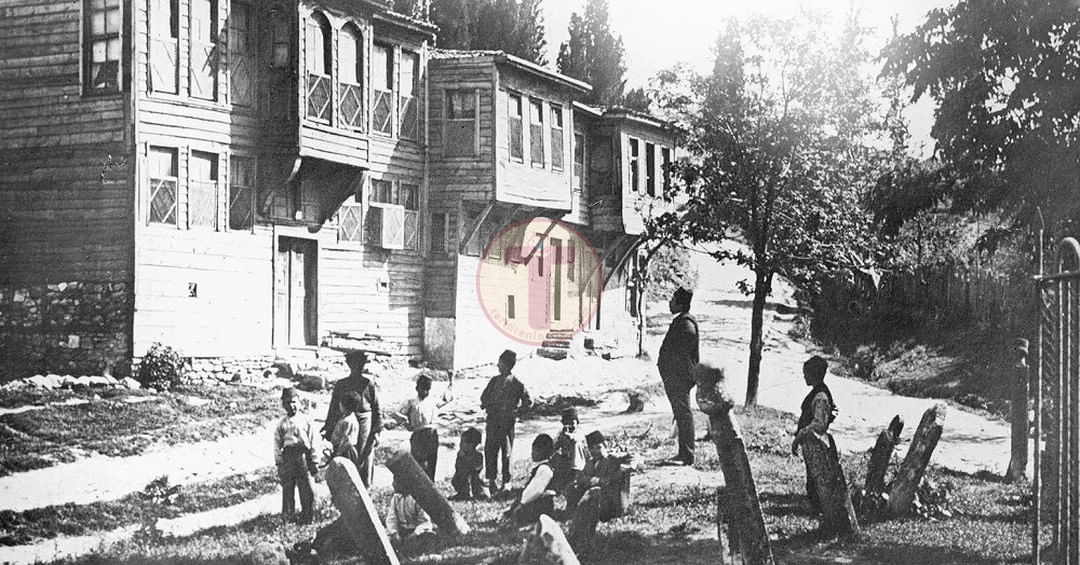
<point x="359" y="516"/>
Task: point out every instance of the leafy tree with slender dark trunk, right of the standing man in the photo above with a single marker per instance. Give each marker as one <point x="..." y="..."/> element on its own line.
<point x="779" y="140"/>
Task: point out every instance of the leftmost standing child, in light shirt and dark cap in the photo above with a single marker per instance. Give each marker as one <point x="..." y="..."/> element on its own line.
<point x="294" y="443"/>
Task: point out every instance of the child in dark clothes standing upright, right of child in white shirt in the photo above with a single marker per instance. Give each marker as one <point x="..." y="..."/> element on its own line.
<point x="503" y="397"/>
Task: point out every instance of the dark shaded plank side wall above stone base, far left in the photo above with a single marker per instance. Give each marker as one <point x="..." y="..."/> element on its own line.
<point x="65" y="201"/>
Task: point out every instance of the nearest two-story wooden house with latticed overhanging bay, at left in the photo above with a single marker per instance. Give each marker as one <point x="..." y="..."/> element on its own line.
<point x="225" y="177"/>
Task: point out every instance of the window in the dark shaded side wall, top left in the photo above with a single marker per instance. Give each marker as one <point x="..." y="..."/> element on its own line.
<point x="104" y="46"/>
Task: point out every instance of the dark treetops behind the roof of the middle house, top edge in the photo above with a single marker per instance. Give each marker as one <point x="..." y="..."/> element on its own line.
<point x="514" y="26"/>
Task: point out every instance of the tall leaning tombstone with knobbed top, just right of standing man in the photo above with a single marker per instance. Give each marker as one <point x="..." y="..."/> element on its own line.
<point x="742" y="510"/>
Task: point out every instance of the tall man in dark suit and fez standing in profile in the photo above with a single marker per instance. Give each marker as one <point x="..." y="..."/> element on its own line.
<point x="679" y="355"/>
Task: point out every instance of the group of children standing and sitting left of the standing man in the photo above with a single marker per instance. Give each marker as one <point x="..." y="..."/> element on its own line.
<point x="574" y="466"/>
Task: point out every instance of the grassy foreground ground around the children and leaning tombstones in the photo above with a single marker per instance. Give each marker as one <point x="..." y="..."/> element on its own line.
<point x="984" y="521"/>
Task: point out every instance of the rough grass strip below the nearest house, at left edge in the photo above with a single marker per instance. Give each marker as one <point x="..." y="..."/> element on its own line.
<point x="123" y="423"/>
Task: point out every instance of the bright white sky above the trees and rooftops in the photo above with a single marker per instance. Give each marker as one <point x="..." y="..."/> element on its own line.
<point x="656" y="35"/>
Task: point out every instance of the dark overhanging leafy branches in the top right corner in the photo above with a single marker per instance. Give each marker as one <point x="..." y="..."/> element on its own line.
<point x="1004" y="76"/>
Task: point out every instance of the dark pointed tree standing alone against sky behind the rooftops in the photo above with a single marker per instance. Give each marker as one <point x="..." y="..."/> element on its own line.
<point x="595" y="55"/>
